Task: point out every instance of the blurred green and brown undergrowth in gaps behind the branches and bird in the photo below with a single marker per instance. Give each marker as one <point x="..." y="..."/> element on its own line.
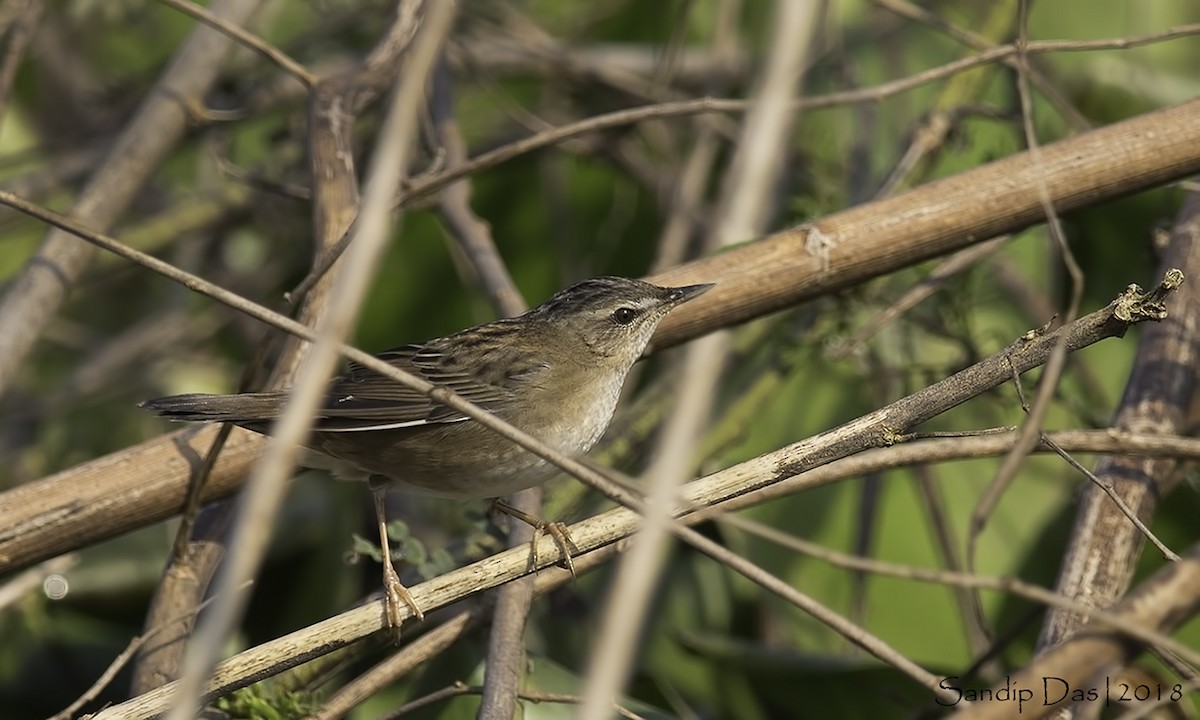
<point x="231" y="206"/>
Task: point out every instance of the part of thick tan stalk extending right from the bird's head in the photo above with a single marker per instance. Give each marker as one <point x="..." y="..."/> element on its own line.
<point x="937" y="219"/>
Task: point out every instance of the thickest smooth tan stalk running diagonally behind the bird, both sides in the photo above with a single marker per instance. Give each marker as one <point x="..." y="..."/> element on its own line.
<point x="55" y="514"/>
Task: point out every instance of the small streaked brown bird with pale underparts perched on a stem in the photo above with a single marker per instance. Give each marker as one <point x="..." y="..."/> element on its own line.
<point x="555" y="373"/>
